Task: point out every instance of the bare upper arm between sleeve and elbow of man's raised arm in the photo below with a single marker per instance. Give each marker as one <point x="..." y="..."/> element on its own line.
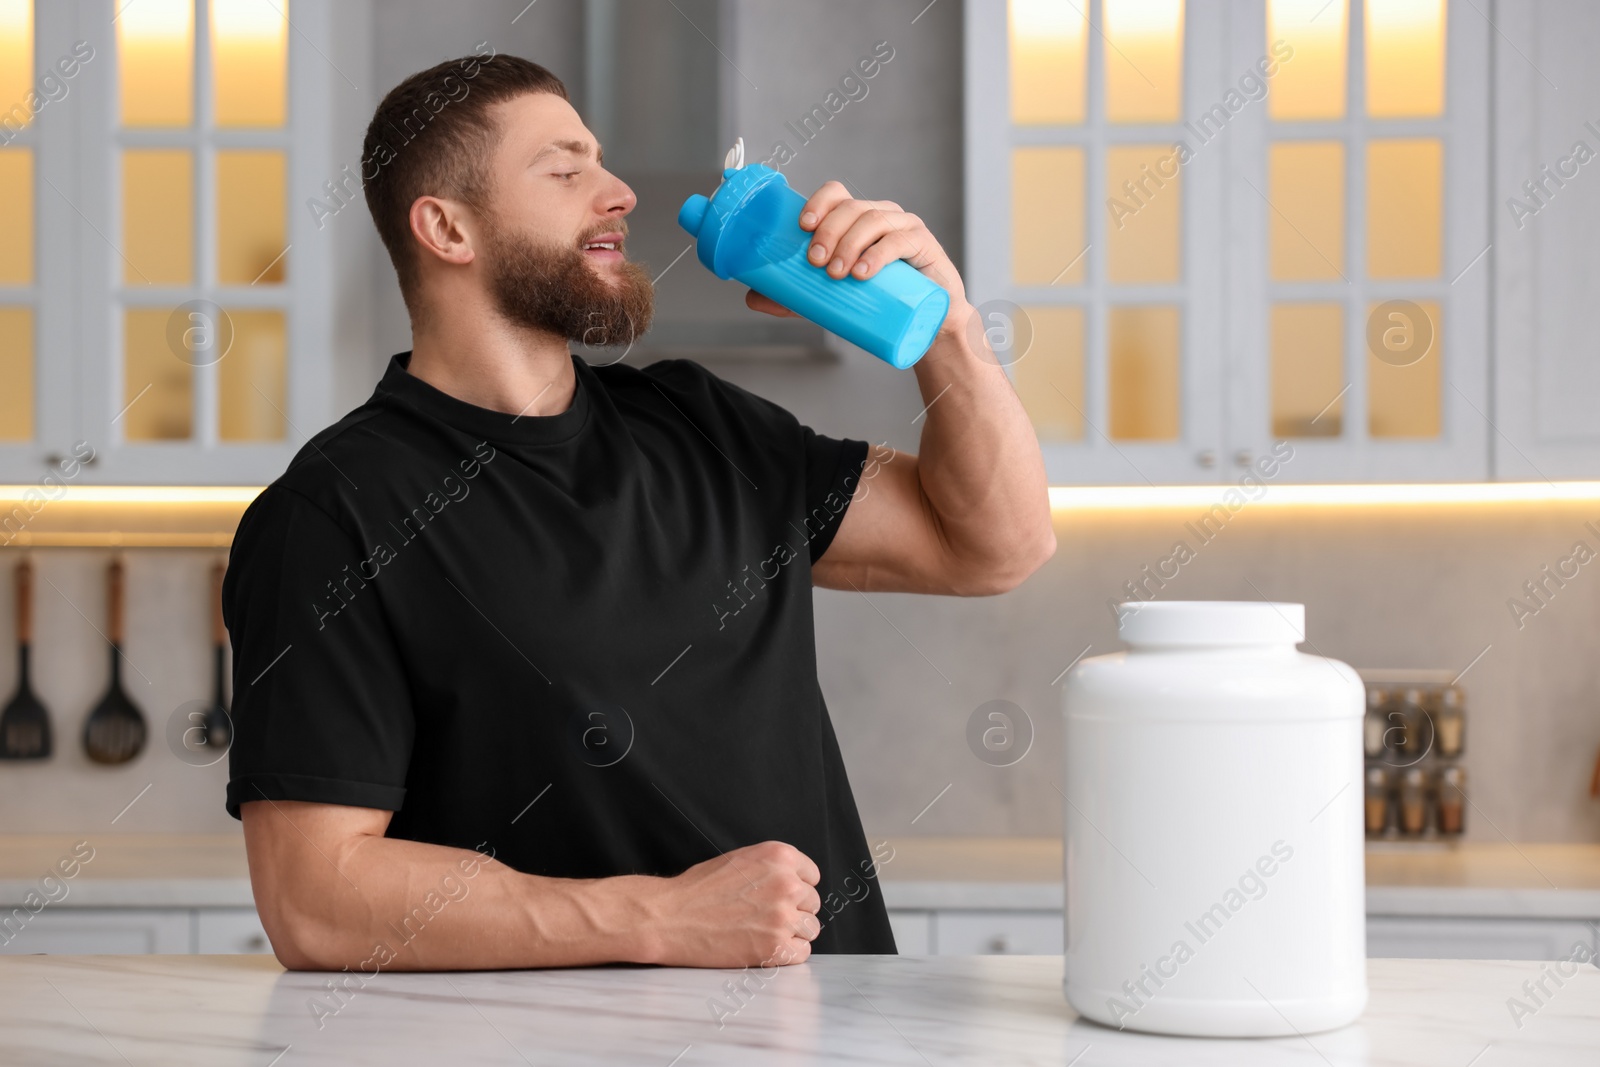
<point x="890" y="538"/>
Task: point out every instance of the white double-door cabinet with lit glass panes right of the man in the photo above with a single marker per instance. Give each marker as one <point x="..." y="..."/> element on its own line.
<point x="1194" y="262"/>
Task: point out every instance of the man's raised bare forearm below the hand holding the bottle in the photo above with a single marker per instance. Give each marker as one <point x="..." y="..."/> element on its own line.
<point x="980" y="463"/>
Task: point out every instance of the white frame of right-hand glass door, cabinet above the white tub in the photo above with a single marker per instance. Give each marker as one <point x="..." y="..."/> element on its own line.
<point x="1463" y="449"/>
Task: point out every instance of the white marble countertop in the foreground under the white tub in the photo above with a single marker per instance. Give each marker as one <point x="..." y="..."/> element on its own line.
<point x="858" y="1010"/>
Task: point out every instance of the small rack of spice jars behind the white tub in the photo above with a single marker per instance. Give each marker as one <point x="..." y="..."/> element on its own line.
<point x="1414" y="741"/>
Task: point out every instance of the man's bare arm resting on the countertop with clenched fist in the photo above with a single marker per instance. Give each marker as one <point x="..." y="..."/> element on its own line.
<point x="334" y="893"/>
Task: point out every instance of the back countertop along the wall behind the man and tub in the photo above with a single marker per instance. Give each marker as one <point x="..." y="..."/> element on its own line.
<point x="927" y="873"/>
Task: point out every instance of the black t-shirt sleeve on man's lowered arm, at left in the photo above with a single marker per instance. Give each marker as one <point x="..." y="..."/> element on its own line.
<point x="322" y="709"/>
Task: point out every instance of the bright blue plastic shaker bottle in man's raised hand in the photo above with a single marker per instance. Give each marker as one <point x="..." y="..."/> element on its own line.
<point x="750" y="231"/>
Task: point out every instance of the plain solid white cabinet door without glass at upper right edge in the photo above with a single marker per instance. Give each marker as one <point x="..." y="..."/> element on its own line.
<point x="1546" y="230"/>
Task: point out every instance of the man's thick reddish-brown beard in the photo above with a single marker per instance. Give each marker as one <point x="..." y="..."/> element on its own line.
<point x="556" y="290"/>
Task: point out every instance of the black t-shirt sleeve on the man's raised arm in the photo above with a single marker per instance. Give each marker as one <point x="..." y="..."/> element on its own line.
<point x="825" y="468"/>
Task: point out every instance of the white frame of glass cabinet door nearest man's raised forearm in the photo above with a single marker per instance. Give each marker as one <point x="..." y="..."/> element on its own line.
<point x="991" y="137"/>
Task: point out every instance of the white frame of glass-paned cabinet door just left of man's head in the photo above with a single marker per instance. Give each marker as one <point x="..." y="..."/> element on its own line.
<point x="306" y="140"/>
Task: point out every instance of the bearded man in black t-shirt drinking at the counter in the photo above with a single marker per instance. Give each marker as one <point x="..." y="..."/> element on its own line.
<point x="524" y="647"/>
